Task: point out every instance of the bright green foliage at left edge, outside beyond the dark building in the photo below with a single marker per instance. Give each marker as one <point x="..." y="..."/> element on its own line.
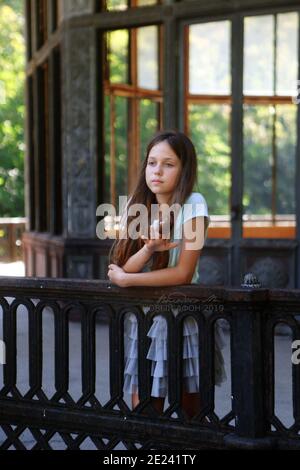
<point x="12" y="52"/>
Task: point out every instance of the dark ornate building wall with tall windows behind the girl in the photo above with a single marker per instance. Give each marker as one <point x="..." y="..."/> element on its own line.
<point x="102" y="77"/>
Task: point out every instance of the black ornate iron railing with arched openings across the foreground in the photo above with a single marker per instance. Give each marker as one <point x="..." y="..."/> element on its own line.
<point x="31" y="417"/>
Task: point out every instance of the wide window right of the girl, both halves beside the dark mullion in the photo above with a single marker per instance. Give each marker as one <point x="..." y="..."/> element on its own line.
<point x="269" y="120"/>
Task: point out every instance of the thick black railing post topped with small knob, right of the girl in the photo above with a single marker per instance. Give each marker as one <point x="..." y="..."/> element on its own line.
<point x="248" y="366"/>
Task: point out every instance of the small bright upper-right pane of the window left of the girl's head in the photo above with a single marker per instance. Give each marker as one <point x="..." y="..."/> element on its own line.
<point x="147" y="45"/>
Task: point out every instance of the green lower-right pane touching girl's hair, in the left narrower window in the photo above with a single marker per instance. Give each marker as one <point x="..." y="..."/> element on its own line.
<point x="148" y="123"/>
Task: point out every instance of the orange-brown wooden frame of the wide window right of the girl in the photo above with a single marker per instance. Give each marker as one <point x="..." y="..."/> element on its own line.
<point x="234" y="226"/>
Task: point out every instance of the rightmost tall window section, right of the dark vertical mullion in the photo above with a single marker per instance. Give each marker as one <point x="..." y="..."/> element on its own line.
<point x="270" y="81"/>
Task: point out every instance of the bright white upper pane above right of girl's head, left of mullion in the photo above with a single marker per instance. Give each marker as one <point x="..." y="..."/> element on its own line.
<point x="209" y="60"/>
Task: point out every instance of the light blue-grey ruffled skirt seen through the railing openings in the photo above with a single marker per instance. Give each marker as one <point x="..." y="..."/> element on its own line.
<point x="158" y="355"/>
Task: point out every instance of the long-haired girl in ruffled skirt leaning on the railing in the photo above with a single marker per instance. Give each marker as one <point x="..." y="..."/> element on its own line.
<point x="168" y="176"/>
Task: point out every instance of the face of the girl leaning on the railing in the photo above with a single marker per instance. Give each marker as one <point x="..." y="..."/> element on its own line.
<point x="163" y="170"/>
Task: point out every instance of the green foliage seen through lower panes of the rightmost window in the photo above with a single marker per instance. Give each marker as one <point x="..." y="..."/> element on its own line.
<point x="258" y="141"/>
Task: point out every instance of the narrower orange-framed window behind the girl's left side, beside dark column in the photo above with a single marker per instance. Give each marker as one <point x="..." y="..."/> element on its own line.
<point x="133" y="103"/>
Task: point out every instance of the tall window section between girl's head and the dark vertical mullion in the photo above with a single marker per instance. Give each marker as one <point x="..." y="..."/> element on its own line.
<point x="208" y="111"/>
